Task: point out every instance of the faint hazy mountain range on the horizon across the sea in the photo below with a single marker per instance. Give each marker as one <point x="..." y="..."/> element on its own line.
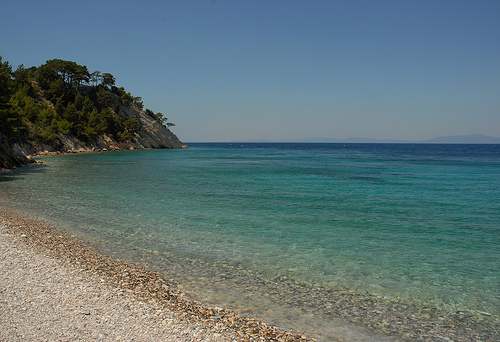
<point x="457" y="139"/>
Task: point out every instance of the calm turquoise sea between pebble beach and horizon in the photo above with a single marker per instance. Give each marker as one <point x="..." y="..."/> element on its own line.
<point x="232" y="222"/>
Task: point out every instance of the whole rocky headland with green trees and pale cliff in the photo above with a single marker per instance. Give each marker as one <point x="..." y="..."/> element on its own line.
<point x="62" y="107"/>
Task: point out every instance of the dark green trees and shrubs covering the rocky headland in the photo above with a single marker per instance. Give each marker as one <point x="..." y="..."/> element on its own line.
<point x="39" y="105"/>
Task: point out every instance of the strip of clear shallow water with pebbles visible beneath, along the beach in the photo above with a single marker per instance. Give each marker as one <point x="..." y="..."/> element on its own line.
<point x="321" y="313"/>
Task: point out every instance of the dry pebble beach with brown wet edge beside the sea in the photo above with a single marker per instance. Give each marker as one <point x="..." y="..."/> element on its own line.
<point x="53" y="287"/>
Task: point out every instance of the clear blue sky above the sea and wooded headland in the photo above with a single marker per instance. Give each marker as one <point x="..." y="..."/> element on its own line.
<point x="281" y="70"/>
